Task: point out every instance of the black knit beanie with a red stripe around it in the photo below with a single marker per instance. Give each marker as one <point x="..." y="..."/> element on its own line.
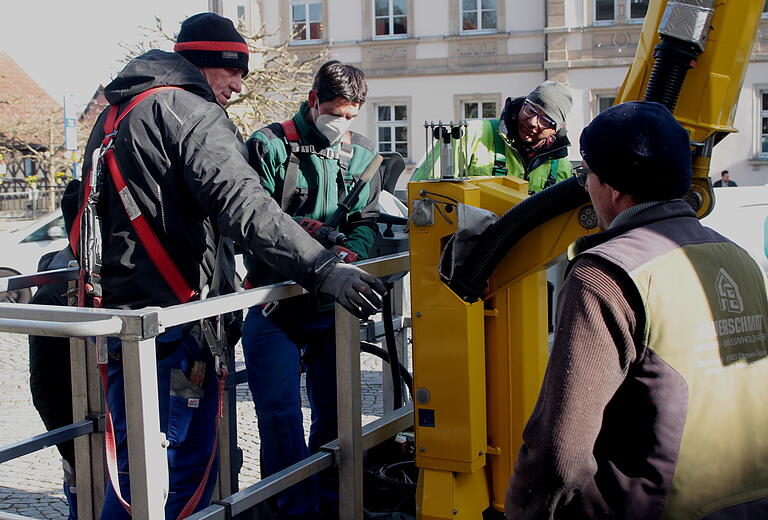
<point x="210" y="40"/>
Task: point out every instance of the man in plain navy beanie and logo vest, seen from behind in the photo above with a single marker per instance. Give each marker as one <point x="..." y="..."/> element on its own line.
<point x="647" y="407"/>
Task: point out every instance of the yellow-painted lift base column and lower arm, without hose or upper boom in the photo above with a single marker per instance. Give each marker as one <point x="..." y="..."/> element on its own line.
<point x="480" y="362"/>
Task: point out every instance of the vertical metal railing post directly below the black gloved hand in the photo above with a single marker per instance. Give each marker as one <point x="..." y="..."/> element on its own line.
<point x="349" y="415"/>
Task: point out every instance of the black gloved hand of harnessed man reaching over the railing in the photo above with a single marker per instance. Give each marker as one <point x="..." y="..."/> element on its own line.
<point x="354" y="289"/>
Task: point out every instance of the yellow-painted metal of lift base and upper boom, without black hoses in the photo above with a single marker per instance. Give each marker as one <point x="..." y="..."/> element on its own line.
<point x="482" y="364"/>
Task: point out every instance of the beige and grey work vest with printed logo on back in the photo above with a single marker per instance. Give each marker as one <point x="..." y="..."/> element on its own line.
<point x="705" y="318"/>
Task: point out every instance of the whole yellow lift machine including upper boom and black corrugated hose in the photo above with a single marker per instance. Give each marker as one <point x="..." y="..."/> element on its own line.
<point x="480" y="341"/>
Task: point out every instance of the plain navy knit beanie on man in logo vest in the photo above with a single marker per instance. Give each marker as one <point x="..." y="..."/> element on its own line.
<point x="640" y="149"/>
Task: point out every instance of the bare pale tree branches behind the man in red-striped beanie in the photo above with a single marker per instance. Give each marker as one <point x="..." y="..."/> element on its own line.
<point x="278" y="82"/>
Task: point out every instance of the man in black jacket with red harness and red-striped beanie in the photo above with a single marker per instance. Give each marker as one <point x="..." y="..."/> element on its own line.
<point x="188" y="190"/>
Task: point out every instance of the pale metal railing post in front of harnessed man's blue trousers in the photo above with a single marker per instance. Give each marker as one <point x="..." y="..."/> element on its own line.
<point x="147" y="456"/>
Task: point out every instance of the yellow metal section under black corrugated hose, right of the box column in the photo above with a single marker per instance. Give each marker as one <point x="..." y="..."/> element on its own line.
<point x="517" y="339"/>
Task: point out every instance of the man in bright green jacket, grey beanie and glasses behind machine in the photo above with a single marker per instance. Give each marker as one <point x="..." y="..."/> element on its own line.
<point x="528" y="141"/>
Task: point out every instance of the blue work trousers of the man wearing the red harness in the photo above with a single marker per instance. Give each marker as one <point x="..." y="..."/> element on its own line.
<point x="187" y="417"/>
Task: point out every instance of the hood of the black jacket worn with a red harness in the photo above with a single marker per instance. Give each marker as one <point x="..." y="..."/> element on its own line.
<point x="157" y="69"/>
